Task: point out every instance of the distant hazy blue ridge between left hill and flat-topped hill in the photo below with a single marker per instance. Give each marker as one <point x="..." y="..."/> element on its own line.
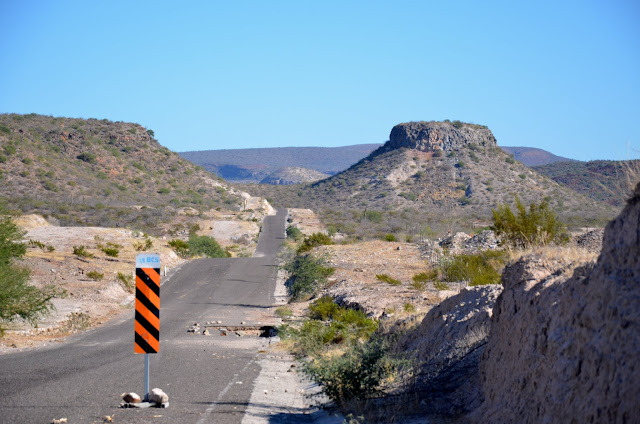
<point x="253" y="165"/>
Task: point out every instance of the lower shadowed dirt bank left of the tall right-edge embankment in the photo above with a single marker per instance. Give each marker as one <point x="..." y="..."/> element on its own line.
<point x="446" y="347"/>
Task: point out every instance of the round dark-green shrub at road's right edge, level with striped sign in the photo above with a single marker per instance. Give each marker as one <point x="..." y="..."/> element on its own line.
<point x="307" y="274"/>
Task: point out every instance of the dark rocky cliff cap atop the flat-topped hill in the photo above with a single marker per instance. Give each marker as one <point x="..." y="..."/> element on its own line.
<point x="432" y="136"/>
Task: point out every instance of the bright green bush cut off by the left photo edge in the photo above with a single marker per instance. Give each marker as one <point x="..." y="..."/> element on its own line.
<point x="19" y="299"/>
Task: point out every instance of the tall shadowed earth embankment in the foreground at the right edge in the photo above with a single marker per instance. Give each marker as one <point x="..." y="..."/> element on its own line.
<point x="564" y="343"/>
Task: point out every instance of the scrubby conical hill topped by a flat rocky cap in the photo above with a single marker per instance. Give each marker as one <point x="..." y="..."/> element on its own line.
<point x="438" y="168"/>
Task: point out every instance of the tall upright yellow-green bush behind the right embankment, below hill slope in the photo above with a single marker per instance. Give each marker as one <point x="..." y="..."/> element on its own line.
<point x="537" y="226"/>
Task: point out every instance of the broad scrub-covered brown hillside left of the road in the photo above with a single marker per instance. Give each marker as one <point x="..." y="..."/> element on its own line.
<point x="98" y="172"/>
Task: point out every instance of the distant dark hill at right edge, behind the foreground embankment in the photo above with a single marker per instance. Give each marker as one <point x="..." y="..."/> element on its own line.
<point x="603" y="180"/>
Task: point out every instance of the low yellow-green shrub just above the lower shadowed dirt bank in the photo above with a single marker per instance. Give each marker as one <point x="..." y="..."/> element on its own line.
<point x="477" y="269"/>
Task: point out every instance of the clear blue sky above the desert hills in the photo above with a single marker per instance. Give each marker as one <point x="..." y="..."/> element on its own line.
<point x="559" y="75"/>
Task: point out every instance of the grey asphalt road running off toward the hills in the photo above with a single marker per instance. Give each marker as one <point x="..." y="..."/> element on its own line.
<point x="208" y="378"/>
